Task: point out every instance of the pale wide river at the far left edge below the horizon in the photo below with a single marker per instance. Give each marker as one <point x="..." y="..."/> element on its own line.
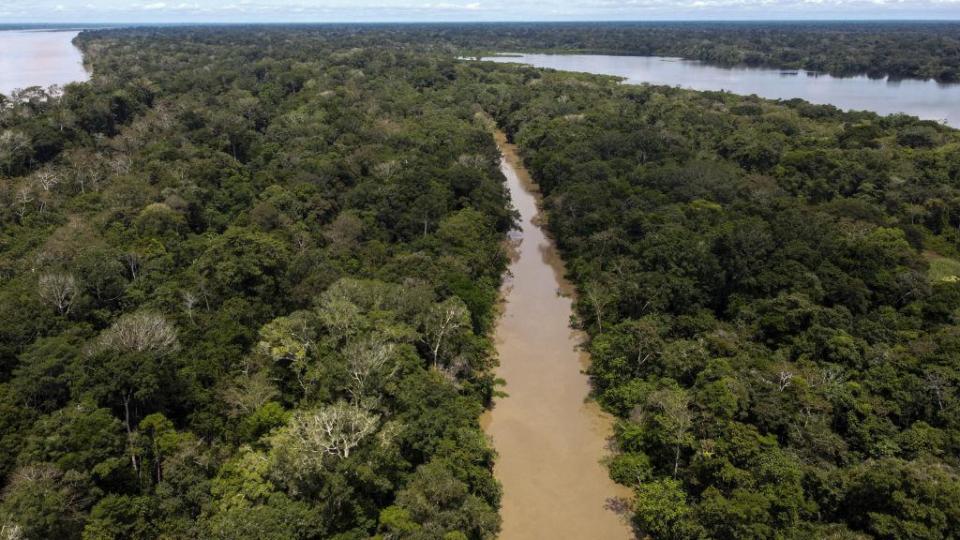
<point x="39" y="58"/>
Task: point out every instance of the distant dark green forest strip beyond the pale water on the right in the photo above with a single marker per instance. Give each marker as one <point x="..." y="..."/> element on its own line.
<point x="901" y="50"/>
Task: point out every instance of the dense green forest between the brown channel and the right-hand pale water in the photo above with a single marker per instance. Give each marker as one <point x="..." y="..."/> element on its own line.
<point x="761" y="317"/>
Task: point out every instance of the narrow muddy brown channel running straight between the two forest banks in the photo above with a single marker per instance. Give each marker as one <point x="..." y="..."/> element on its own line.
<point x="548" y="437"/>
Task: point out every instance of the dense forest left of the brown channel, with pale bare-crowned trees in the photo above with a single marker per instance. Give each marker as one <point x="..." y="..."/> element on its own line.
<point x="246" y="287"/>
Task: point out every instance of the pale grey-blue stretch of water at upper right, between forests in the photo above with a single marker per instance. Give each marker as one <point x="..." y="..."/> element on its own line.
<point x="925" y="99"/>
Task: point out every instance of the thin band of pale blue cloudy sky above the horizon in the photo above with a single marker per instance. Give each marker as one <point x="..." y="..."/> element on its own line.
<point x="147" y="11"/>
